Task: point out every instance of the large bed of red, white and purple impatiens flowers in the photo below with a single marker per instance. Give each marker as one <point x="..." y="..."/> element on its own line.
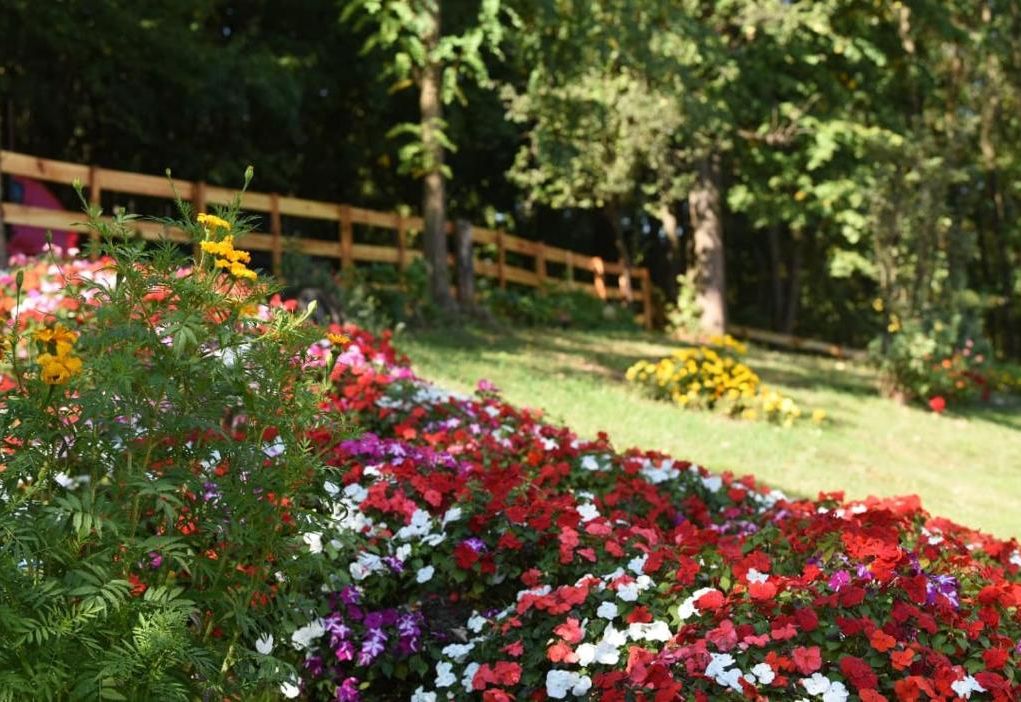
<point x="475" y="551"/>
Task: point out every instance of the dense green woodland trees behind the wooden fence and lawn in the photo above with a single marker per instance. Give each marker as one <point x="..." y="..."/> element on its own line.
<point x="848" y="170"/>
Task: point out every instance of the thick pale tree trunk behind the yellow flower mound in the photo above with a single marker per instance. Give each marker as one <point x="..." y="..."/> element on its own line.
<point x="707" y="227"/>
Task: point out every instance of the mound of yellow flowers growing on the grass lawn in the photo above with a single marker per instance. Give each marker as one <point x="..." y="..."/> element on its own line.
<point x="713" y="378"/>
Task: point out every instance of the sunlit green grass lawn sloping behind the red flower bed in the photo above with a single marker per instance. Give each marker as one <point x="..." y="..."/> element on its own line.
<point x="966" y="467"/>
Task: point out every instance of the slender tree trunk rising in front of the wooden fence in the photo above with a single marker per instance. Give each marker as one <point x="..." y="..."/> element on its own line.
<point x="433" y="196"/>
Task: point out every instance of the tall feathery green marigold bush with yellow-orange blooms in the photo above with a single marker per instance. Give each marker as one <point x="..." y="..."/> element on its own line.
<point x="152" y="506"/>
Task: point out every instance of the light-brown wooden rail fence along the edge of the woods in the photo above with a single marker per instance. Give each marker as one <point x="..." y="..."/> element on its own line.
<point x="536" y="264"/>
